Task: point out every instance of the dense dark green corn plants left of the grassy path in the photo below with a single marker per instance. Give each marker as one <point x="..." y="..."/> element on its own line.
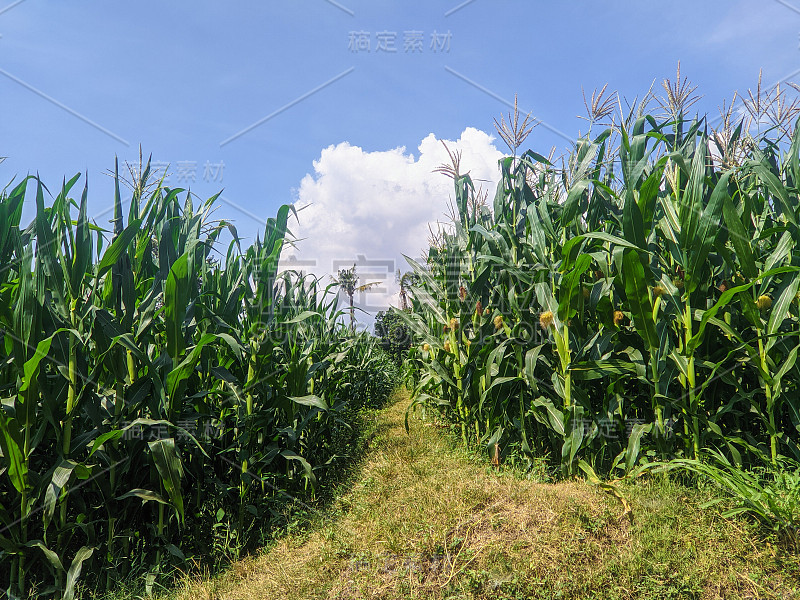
<point x="163" y="398"/>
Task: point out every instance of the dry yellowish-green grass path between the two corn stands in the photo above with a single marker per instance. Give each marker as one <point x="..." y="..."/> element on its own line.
<point x="424" y="519"/>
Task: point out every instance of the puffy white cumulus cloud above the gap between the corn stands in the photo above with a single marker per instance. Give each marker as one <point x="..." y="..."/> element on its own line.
<point x="370" y="208"/>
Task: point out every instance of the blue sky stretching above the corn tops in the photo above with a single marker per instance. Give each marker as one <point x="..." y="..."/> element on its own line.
<point x="180" y="78"/>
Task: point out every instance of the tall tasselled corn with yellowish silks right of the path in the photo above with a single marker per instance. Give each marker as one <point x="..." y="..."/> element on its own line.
<point x="636" y="303"/>
